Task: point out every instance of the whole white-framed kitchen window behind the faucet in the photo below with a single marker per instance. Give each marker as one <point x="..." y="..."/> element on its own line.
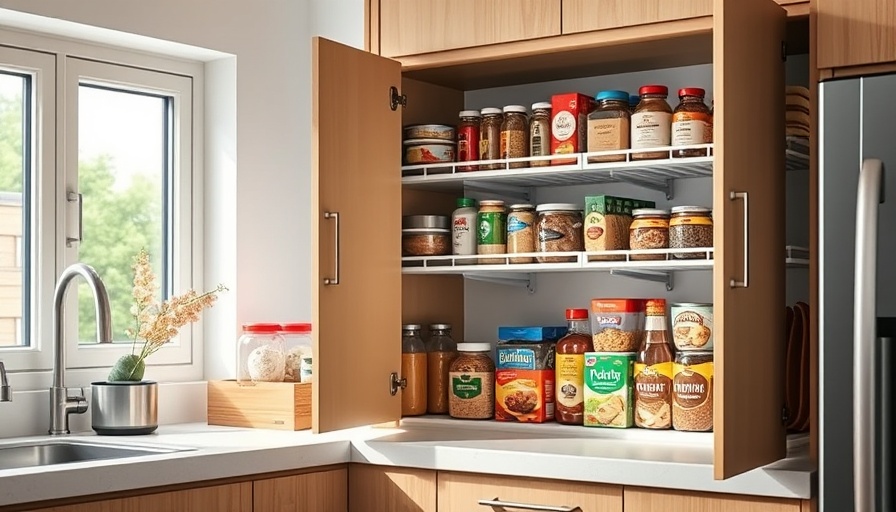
<point x="98" y="159"/>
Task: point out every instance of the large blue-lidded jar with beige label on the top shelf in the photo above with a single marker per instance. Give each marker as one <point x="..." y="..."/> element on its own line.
<point x="608" y="126"/>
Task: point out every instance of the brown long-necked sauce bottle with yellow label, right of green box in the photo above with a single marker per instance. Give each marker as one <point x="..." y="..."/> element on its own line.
<point x="653" y="371"/>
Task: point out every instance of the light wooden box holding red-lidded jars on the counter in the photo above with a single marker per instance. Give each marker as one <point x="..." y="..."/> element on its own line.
<point x="276" y="405"/>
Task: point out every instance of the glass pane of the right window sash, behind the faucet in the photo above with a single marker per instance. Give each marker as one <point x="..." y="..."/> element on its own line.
<point x="123" y="159"/>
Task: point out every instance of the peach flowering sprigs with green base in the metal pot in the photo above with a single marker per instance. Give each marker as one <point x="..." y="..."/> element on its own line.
<point x="156" y="323"/>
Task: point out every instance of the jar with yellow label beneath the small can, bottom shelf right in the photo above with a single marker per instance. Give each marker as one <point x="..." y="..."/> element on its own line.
<point x="692" y="391"/>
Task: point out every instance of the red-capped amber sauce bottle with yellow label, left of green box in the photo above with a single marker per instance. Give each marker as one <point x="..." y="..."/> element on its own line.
<point x="570" y="368"/>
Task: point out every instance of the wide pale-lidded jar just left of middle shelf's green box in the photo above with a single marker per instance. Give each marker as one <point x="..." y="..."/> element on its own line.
<point x="560" y="229"/>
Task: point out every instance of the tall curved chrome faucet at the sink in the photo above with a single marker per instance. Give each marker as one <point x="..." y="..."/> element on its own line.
<point x="61" y="405"/>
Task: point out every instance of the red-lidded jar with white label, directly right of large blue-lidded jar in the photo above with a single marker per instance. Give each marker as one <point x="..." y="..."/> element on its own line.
<point x="652" y="122"/>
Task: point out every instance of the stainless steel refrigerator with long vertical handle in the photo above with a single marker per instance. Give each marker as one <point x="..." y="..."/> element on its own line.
<point x="857" y="293"/>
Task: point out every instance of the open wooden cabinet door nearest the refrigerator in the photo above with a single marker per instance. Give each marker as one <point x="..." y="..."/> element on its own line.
<point x="748" y="209"/>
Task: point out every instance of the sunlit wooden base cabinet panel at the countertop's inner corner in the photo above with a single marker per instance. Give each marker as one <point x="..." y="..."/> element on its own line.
<point x="388" y="489"/>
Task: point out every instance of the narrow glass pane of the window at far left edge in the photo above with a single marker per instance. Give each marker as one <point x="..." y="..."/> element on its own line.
<point x="14" y="209"/>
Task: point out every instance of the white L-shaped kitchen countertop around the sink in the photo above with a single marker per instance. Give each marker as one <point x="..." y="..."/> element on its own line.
<point x="627" y="457"/>
